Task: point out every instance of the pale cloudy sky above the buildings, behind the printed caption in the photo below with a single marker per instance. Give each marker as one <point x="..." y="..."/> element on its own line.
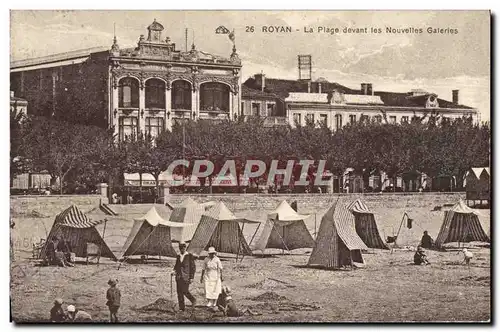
<point x="400" y="62"/>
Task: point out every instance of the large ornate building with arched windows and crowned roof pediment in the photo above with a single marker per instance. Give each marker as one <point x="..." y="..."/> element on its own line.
<point x="144" y="88"/>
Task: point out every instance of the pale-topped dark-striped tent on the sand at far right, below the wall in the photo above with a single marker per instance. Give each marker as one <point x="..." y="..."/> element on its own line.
<point x="461" y="224"/>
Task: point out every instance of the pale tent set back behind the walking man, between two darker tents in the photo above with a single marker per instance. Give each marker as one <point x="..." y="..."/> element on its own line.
<point x="189" y="211"/>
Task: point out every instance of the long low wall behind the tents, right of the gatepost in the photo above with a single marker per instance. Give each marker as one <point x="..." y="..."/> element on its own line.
<point x="309" y="203"/>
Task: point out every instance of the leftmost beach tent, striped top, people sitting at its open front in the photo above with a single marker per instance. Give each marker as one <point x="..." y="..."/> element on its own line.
<point x="79" y="230"/>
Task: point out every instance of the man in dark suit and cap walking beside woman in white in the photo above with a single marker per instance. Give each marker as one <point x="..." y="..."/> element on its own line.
<point x="184" y="270"/>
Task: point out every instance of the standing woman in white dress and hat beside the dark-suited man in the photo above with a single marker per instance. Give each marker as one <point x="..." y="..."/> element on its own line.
<point x="211" y="275"/>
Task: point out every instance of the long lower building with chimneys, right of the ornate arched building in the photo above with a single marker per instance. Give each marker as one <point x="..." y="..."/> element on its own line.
<point x="300" y="102"/>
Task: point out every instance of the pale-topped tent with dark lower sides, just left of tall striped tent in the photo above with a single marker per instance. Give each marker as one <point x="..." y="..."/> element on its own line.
<point x="285" y="229"/>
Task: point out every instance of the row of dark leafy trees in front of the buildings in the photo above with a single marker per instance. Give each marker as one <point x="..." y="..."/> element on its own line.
<point x="86" y="154"/>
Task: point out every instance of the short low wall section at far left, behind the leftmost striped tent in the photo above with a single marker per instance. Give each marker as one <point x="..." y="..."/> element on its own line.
<point x="51" y="205"/>
